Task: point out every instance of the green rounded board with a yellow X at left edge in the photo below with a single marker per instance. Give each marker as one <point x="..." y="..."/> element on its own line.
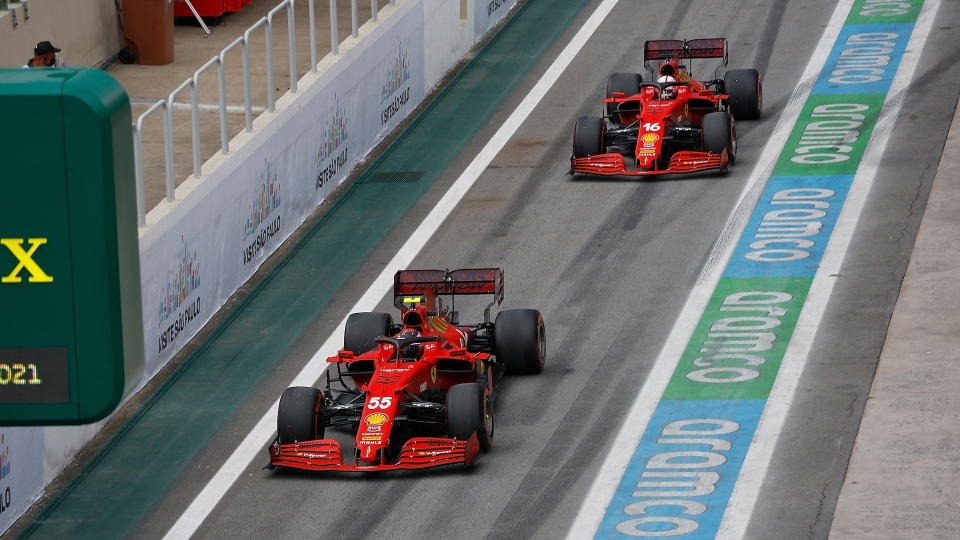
<point x="71" y="331"/>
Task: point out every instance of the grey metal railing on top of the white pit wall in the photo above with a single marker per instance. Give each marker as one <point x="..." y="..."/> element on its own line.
<point x="166" y="105"/>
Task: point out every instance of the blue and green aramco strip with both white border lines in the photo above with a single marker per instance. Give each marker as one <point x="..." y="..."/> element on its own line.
<point x="666" y="478"/>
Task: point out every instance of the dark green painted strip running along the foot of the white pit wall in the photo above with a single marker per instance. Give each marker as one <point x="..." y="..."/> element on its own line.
<point x="136" y="467"/>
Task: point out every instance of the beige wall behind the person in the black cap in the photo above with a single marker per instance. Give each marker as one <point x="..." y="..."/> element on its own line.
<point x="88" y="31"/>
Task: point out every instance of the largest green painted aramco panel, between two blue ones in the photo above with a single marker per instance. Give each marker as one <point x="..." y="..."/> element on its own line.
<point x="743" y="334"/>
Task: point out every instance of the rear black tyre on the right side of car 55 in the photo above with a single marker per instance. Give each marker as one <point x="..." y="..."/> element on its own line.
<point x="520" y="341"/>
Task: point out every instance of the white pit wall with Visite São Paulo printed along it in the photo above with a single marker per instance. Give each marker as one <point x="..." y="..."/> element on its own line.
<point x="198" y="250"/>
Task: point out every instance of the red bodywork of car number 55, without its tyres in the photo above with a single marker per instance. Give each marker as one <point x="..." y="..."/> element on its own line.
<point x="392" y="386"/>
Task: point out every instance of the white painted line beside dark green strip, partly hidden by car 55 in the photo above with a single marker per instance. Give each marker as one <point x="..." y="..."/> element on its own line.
<point x="263" y="433"/>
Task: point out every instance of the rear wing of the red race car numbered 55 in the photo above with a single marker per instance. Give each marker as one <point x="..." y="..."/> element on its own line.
<point x="467" y="281"/>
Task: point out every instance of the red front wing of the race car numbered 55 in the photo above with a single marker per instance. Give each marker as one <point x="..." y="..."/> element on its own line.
<point x="417" y="453"/>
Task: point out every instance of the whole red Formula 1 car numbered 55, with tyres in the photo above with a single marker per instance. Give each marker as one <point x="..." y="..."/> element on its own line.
<point x="417" y="394"/>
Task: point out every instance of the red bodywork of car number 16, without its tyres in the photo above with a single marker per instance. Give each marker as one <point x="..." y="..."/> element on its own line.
<point x="657" y="116"/>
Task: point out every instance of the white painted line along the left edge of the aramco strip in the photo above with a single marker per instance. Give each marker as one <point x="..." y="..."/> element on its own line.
<point x="614" y="466"/>
